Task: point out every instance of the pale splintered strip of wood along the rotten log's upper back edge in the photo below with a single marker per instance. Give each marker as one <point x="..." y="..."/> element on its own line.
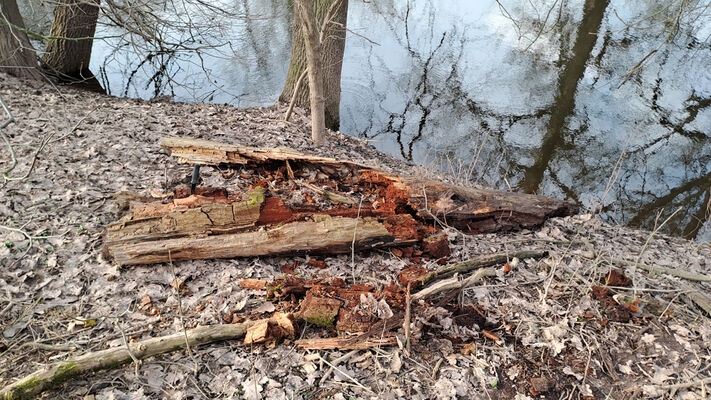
<point x="197" y="151"/>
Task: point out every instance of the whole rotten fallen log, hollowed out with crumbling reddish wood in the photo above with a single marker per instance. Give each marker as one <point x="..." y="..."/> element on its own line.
<point x="393" y="211"/>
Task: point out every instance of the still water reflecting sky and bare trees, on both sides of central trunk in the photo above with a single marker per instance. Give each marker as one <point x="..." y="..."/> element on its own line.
<point x="603" y="102"/>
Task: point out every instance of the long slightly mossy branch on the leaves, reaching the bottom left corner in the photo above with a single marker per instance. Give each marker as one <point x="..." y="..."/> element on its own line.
<point x="54" y="374"/>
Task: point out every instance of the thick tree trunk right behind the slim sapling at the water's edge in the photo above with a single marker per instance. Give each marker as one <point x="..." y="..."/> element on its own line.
<point x="329" y="41"/>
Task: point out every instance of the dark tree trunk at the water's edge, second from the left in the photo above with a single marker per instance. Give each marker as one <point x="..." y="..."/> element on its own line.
<point x="68" y="59"/>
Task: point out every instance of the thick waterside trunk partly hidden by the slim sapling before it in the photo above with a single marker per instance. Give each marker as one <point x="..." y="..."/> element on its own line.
<point x="331" y="51"/>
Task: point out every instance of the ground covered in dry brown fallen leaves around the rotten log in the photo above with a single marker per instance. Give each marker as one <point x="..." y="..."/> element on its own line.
<point x="589" y="321"/>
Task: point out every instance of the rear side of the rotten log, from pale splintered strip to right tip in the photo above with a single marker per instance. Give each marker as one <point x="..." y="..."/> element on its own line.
<point x="472" y="210"/>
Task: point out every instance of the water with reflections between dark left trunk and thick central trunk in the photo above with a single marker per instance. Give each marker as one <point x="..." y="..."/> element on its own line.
<point x="204" y="51"/>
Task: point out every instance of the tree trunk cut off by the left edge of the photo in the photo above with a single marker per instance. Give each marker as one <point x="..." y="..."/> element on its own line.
<point x="17" y="56"/>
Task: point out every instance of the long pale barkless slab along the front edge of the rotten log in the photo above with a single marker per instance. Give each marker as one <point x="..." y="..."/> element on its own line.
<point x="324" y="235"/>
